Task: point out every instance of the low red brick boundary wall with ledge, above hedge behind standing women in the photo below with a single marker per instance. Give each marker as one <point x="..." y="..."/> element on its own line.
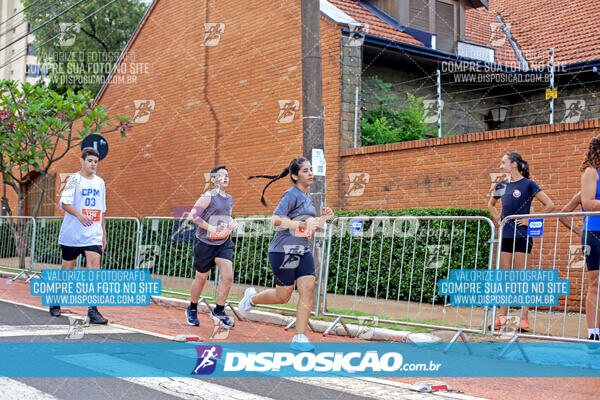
<point x="455" y="171"/>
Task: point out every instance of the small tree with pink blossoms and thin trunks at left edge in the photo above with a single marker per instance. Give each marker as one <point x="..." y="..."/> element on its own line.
<point x="38" y="127"/>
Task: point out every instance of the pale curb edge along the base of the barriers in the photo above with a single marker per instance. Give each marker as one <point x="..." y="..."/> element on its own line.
<point x="270" y="318"/>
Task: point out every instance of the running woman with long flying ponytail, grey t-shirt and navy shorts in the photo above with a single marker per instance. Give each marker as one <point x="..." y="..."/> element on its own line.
<point x="289" y="251"/>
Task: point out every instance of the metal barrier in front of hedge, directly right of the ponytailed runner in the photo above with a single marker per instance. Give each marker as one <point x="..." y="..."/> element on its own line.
<point x="386" y="270"/>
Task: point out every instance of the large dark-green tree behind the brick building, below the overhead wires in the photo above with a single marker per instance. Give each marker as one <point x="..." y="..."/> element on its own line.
<point x="78" y="49"/>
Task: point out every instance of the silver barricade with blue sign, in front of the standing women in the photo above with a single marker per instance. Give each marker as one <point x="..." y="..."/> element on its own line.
<point x="550" y="248"/>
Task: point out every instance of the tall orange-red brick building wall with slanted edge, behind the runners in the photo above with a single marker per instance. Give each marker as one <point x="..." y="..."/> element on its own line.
<point x="212" y="105"/>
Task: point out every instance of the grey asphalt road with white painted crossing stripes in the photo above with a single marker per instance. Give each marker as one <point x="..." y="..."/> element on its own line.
<point x="20" y="323"/>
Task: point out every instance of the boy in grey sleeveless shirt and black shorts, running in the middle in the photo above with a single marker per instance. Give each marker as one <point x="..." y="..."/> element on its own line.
<point x="212" y="246"/>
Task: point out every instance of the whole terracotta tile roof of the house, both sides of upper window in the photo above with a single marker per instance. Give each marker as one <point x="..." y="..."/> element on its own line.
<point x="570" y="26"/>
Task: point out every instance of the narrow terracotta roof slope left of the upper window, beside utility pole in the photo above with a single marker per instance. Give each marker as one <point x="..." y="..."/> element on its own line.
<point x="377" y="27"/>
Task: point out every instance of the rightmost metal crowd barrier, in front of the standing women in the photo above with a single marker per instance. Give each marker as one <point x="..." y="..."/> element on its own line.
<point x="560" y="249"/>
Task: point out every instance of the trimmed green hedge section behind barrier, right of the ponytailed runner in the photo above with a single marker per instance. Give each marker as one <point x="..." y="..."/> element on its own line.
<point x="388" y="261"/>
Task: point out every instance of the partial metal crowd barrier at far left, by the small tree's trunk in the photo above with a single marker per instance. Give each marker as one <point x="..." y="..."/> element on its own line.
<point x="17" y="244"/>
